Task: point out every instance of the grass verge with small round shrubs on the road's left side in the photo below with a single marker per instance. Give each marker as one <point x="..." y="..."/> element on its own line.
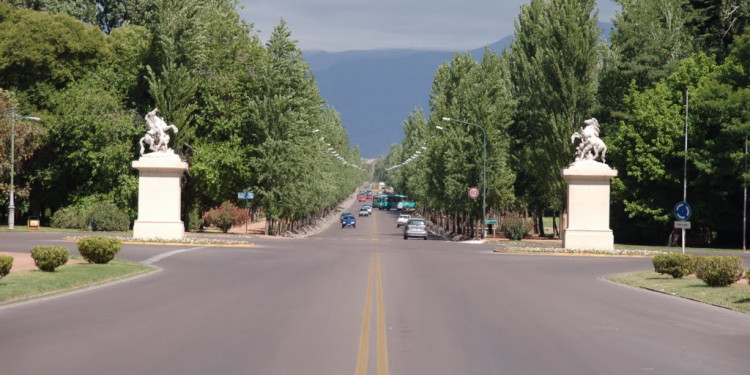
<point x="28" y="285"/>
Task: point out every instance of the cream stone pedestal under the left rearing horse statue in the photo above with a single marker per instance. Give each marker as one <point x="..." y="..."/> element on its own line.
<point x="159" y="196"/>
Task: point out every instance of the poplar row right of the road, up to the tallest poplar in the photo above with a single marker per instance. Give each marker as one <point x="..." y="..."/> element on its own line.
<point x="449" y="161"/>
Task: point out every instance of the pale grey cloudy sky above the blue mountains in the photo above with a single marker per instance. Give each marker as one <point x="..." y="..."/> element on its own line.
<point x="345" y="25"/>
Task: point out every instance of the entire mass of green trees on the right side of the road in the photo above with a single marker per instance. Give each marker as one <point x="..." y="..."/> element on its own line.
<point x="559" y="71"/>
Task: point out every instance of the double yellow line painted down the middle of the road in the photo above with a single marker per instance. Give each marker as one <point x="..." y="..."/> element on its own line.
<point x="375" y="277"/>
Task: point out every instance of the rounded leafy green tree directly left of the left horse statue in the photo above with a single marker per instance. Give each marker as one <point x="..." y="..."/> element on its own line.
<point x="90" y="146"/>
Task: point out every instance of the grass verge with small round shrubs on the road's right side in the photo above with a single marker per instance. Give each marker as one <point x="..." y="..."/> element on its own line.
<point x="735" y="297"/>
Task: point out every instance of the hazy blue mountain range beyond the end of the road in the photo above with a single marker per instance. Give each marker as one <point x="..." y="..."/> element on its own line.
<point x="374" y="91"/>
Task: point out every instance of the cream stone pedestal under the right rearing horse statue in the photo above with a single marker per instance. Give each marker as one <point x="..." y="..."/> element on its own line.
<point x="588" y="206"/>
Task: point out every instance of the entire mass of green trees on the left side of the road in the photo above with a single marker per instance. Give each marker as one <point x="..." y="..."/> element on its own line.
<point x="249" y="114"/>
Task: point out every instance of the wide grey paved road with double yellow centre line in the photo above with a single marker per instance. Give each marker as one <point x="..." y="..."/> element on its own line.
<point x="364" y="301"/>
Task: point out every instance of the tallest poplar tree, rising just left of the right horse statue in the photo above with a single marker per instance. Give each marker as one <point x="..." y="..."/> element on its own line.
<point x="553" y="65"/>
